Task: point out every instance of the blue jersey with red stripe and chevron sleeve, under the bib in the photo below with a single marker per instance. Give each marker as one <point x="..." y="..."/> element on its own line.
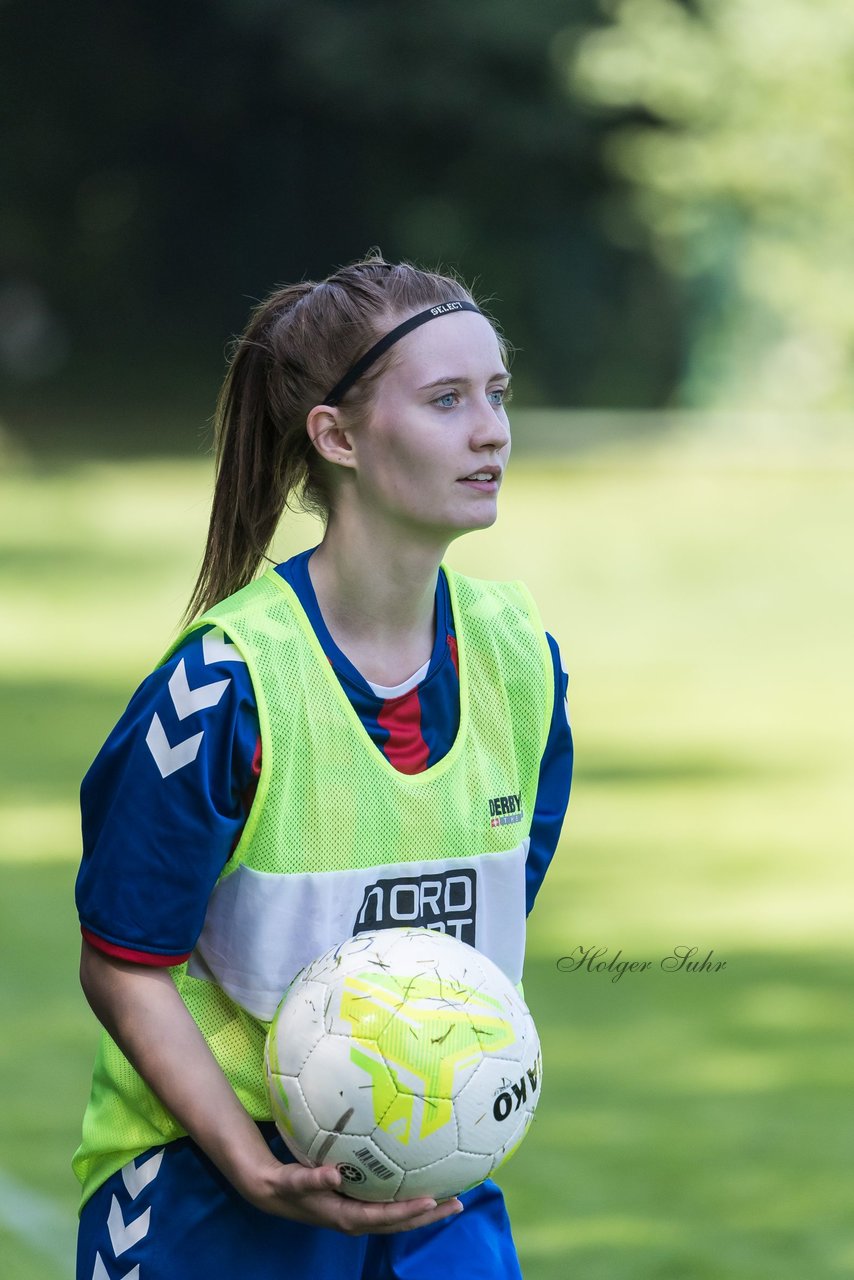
<point x="167" y="799"/>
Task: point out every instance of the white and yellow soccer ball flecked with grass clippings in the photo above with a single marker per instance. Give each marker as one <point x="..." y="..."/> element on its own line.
<point x="409" y="1060"/>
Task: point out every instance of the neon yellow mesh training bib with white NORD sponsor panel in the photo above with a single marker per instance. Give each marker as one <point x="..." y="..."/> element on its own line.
<point x="340" y="842"/>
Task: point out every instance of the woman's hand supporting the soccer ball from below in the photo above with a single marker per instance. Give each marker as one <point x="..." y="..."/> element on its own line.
<point x="312" y="1196"/>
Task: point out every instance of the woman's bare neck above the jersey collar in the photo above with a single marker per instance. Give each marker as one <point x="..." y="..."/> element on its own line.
<point x="377" y="596"/>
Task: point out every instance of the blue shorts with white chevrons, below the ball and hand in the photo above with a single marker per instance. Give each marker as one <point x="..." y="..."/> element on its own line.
<point x="175" y="1217"/>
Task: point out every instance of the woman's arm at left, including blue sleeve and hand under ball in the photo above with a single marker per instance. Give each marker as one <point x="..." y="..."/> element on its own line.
<point x="159" y="824"/>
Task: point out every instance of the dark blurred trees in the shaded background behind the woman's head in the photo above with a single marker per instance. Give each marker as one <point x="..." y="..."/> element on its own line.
<point x="167" y="166"/>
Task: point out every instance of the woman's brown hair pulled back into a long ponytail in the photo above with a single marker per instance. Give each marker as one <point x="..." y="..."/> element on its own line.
<point x="299" y="342"/>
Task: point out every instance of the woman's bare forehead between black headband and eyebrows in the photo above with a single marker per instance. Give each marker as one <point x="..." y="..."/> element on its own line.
<point x="459" y="345"/>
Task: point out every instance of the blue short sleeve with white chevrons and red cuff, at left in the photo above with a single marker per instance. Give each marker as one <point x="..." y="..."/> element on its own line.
<point x="166" y="802"/>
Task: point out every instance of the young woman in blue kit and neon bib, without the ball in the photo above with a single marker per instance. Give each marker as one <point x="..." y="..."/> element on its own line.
<point x="325" y="744"/>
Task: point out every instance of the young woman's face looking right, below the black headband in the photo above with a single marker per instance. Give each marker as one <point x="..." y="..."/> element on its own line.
<point x="433" y="450"/>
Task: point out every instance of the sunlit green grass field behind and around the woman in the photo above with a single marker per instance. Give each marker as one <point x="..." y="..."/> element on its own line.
<point x="695" y="1124"/>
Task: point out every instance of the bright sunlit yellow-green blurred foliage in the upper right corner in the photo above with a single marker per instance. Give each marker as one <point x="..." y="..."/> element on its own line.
<point x="736" y="132"/>
